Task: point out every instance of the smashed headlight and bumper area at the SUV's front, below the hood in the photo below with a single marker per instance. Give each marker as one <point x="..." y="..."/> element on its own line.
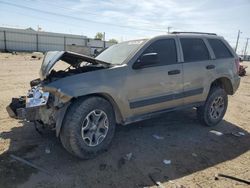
<point x="38" y="105"/>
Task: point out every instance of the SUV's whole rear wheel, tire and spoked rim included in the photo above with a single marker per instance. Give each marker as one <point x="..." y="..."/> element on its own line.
<point x="214" y="109"/>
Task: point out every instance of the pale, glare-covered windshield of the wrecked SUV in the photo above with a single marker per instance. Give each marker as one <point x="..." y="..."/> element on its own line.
<point x="117" y="53"/>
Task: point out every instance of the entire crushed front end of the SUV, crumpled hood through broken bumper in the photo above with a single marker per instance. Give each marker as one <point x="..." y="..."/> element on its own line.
<point x="45" y="102"/>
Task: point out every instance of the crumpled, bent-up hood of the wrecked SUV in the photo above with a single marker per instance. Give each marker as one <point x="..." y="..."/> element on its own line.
<point x="52" y="57"/>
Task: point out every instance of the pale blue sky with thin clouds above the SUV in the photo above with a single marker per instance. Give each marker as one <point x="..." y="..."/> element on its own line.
<point x="130" y="19"/>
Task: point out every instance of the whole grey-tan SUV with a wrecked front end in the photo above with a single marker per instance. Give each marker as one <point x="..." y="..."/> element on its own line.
<point x="129" y="82"/>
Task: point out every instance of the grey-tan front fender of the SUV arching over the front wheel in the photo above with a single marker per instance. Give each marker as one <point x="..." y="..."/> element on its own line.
<point x="102" y="82"/>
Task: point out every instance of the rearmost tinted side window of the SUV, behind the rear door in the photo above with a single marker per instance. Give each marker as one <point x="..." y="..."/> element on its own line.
<point x="220" y="49"/>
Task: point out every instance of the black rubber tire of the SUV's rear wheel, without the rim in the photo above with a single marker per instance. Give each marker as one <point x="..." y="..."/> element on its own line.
<point x="203" y="112"/>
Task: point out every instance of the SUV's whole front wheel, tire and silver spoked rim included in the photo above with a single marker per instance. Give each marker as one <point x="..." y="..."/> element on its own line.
<point x="88" y="127"/>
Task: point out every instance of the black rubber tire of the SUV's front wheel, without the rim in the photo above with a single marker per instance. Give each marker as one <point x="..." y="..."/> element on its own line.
<point x="71" y="135"/>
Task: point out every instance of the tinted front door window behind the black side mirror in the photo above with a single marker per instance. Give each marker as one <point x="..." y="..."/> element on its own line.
<point x="165" y="49"/>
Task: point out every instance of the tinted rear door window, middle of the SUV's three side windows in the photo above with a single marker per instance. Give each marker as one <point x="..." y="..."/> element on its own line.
<point x="194" y="49"/>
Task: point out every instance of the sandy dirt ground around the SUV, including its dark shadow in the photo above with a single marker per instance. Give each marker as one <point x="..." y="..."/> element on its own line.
<point x="196" y="154"/>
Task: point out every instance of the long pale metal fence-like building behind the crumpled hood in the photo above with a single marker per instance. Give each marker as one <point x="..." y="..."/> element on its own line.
<point x="29" y="40"/>
